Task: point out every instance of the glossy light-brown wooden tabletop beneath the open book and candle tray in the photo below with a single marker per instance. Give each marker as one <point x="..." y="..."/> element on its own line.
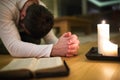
<point x="81" y="68"/>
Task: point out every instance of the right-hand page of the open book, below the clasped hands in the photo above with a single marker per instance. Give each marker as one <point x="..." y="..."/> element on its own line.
<point x="46" y="63"/>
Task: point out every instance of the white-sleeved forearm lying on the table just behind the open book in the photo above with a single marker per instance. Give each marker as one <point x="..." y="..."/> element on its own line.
<point x="23" y="49"/>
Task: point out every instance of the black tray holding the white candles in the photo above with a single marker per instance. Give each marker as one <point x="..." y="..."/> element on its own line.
<point x="94" y="55"/>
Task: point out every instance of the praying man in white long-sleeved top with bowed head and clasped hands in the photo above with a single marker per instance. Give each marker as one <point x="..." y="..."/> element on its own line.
<point x="14" y="13"/>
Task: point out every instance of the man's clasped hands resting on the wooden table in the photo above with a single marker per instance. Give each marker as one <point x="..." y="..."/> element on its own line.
<point x="67" y="45"/>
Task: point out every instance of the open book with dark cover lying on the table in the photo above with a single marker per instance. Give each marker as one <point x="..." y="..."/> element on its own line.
<point x="22" y="68"/>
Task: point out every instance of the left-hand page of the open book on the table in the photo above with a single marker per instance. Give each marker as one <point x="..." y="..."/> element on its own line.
<point x="17" y="64"/>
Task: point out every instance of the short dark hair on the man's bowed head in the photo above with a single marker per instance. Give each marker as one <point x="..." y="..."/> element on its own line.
<point x="37" y="21"/>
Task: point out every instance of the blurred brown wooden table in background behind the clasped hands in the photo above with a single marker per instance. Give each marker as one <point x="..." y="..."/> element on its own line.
<point x="65" y="24"/>
